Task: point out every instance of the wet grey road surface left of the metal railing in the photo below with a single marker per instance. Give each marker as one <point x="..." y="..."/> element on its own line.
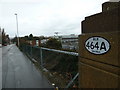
<point x="19" y="71"/>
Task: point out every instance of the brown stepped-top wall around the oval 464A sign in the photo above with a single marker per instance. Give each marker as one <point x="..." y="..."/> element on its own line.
<point x="101" y="71"/>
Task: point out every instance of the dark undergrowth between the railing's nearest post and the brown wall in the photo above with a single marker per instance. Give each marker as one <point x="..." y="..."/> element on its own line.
<point x="62" y="67"/>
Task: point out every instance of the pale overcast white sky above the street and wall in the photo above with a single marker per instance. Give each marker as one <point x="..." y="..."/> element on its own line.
<point x="45" y="17"/>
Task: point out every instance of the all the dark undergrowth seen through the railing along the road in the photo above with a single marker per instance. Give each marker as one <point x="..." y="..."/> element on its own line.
<point x="59" y="68"/>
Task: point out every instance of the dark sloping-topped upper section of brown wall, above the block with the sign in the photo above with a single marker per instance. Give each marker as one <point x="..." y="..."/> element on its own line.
<point x="102" y="22"/>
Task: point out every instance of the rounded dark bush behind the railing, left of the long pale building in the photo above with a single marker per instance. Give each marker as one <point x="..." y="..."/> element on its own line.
<point x="53" y="43"/>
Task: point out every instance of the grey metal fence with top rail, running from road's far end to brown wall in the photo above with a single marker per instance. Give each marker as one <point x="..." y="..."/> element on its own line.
<point x="60" y="63"/>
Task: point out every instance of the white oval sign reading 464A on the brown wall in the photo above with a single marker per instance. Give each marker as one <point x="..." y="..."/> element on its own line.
<point x="97" y="45"/>
